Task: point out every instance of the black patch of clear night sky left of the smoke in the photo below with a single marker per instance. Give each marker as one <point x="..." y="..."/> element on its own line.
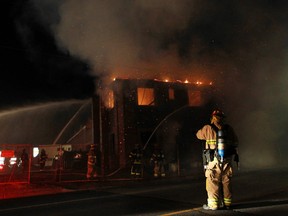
<point x="32" y="68"/>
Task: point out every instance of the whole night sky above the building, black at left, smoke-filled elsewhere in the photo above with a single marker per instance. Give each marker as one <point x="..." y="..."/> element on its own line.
<point x="57" y="49"/>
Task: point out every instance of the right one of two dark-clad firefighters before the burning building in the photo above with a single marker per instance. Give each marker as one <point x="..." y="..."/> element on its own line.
<point x="158" y="162"/>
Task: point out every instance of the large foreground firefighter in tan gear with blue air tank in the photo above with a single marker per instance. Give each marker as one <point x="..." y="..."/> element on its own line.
<point x="220" y="150"/>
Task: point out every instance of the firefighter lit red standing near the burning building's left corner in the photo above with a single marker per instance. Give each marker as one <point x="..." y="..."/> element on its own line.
<point x="93" y="162"/>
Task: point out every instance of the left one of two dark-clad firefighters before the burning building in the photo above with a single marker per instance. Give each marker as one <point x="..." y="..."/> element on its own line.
<point x="136" y="157"/>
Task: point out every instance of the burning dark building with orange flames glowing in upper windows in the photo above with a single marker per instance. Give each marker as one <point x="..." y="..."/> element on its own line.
<point x="150" y="112"/>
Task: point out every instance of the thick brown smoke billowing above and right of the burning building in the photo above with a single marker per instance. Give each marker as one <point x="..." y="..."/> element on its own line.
<point x="238" y="45"/>
